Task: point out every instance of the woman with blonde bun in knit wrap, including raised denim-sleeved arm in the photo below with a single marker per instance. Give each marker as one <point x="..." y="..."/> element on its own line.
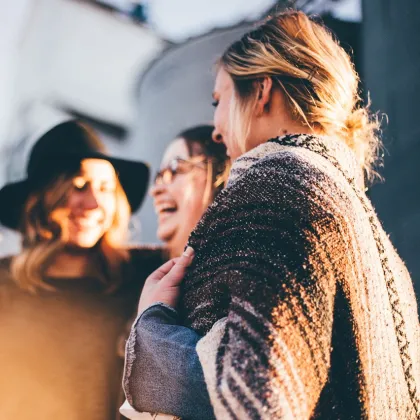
<point x="295" y="305"/>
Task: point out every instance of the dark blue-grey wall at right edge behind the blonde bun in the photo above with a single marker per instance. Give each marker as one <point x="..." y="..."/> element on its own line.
<point x="391" y="56"/>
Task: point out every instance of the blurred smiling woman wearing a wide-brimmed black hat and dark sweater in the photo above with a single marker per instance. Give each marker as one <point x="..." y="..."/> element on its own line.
<point x="67" y="297"/>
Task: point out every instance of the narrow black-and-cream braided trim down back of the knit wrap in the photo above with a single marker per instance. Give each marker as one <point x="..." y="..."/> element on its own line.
<point x="316" y="145"/>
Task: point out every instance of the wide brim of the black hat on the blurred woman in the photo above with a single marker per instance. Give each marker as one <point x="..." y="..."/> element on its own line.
<point x="133" y="176"/>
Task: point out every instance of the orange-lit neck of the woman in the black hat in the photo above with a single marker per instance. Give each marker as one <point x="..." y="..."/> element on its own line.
<point x="71" y="263"/>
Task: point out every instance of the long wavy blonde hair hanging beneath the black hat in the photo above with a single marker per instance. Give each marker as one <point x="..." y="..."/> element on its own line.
<point x="43" y="238"/>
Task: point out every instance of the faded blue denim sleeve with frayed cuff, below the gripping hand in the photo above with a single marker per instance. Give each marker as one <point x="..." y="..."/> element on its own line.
<point x="163" y="373"/>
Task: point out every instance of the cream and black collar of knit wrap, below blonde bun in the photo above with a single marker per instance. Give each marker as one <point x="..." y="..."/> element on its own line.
<point x="335" y="151"/>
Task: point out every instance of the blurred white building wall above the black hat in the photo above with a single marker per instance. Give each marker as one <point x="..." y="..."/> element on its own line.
<point x="83" y="57"/>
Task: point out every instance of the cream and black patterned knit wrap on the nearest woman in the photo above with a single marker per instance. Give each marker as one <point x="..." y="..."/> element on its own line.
<point x="306" y="309"/>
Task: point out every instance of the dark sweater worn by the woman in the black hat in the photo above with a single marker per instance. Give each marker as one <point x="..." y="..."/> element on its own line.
<point x="60" y="352"/>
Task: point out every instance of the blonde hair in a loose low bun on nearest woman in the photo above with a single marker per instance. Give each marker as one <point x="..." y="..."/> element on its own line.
<point x="316" y="76"/>
